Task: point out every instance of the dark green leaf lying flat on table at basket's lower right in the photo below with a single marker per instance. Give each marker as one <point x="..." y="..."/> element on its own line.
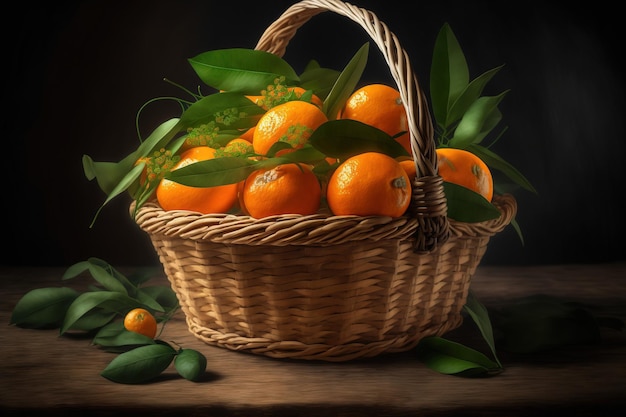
<point x="452" y="358"/>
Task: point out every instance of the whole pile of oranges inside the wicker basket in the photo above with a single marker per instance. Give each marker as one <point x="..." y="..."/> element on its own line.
<point x="369" y="183"/>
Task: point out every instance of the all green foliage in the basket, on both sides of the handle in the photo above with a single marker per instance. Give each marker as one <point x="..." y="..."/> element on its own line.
<point x="463" y="118"/>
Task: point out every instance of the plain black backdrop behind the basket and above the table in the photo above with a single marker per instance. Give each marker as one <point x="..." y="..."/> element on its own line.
<point x="76" y="73"/>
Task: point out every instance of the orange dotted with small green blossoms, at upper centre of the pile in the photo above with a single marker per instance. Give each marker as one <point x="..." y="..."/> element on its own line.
<point x="292" y="122"/>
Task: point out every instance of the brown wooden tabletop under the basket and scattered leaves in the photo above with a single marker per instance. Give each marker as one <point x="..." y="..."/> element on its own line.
<point x="44" y="374"/>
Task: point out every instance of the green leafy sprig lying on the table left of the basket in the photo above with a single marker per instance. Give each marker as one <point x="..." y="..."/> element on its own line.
<point x="99" y="311"/>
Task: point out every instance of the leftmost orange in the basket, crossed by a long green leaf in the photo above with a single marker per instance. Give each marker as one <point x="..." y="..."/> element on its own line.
<point x="174" y="196"/>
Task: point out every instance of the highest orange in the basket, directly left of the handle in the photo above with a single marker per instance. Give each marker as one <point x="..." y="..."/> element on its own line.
<point x="379" y="105"/>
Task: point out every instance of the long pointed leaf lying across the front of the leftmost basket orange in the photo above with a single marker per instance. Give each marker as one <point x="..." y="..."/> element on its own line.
<point x="213" y="172"/>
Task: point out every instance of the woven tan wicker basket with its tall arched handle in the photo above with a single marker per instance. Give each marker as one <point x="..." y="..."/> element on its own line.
<point x="321" y="287"/>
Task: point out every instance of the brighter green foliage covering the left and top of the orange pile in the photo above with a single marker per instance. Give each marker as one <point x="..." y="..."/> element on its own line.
<point x="242" y="71"/>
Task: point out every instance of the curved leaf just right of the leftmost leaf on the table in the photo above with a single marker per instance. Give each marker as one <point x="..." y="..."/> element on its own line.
<point x="110" y="301"/>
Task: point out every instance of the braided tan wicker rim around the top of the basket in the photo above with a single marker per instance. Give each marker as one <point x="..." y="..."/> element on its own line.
<point x="296" y="229"/>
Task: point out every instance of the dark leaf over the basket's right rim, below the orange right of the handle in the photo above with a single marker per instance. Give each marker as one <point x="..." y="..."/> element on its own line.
<point x="467" y="206"/>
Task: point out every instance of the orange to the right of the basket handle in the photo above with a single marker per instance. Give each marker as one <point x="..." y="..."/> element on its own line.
<point x="464" y="168"/>
